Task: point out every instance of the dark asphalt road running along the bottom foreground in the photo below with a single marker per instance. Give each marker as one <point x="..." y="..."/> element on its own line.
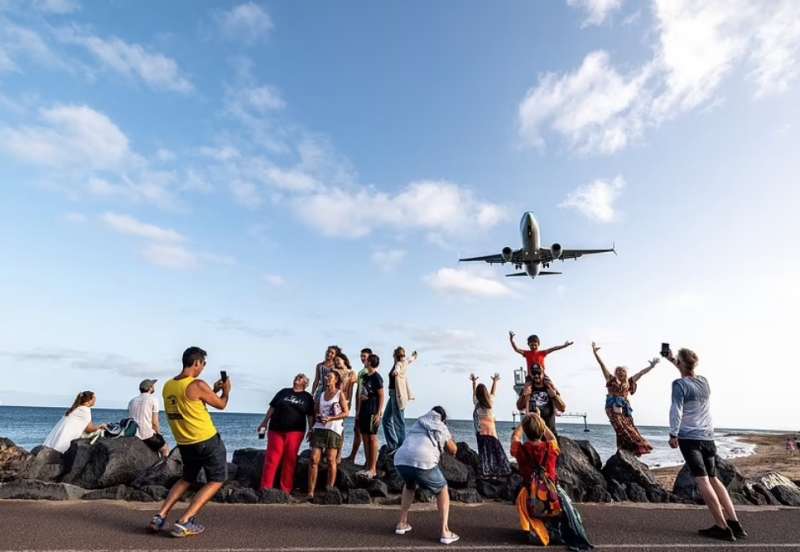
<point x="106" y="525"/>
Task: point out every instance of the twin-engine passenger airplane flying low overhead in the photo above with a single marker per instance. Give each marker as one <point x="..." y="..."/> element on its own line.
<point x="532" y="256"/>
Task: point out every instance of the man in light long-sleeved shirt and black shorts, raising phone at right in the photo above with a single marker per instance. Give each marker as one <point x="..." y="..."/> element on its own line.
<point x="691" y="430"/>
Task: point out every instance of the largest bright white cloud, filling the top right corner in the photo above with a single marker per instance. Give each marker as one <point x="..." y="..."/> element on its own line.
<point x="598" y="108"/>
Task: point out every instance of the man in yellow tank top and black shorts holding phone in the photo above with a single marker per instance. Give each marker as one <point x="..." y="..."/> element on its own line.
<point x="185" y="402"/>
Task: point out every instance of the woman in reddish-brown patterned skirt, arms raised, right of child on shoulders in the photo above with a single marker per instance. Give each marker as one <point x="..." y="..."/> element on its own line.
<point x="618" y="407"/>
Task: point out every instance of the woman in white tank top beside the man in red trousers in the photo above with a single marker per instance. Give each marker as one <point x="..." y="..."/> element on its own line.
<point x="330" y="410"/>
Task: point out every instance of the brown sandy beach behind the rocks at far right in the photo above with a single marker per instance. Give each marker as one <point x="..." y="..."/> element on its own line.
<point x="770" y="455"/>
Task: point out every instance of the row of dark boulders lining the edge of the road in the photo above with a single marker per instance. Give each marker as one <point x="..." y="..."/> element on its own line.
<point x="126" y="469"/>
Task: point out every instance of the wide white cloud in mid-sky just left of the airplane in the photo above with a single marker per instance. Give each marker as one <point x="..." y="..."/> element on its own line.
<point x="437" y="206"/>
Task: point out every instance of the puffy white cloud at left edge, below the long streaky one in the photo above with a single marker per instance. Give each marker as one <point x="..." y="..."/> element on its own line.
<point x="71" y="136"/>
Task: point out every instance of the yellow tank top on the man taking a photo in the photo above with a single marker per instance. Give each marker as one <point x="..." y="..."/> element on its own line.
<point x="188" y="419"/>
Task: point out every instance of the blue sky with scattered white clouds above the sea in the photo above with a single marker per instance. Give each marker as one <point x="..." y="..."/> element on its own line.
<point x="264" y="179"/>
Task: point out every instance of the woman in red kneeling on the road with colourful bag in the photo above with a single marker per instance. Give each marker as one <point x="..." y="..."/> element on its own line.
<point x="546" y="514"/>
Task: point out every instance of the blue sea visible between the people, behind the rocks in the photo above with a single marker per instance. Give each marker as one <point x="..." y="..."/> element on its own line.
<point x="28" y="427"/>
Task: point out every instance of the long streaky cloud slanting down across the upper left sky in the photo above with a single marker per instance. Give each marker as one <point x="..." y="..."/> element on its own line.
<point x="131" y="60"/>
